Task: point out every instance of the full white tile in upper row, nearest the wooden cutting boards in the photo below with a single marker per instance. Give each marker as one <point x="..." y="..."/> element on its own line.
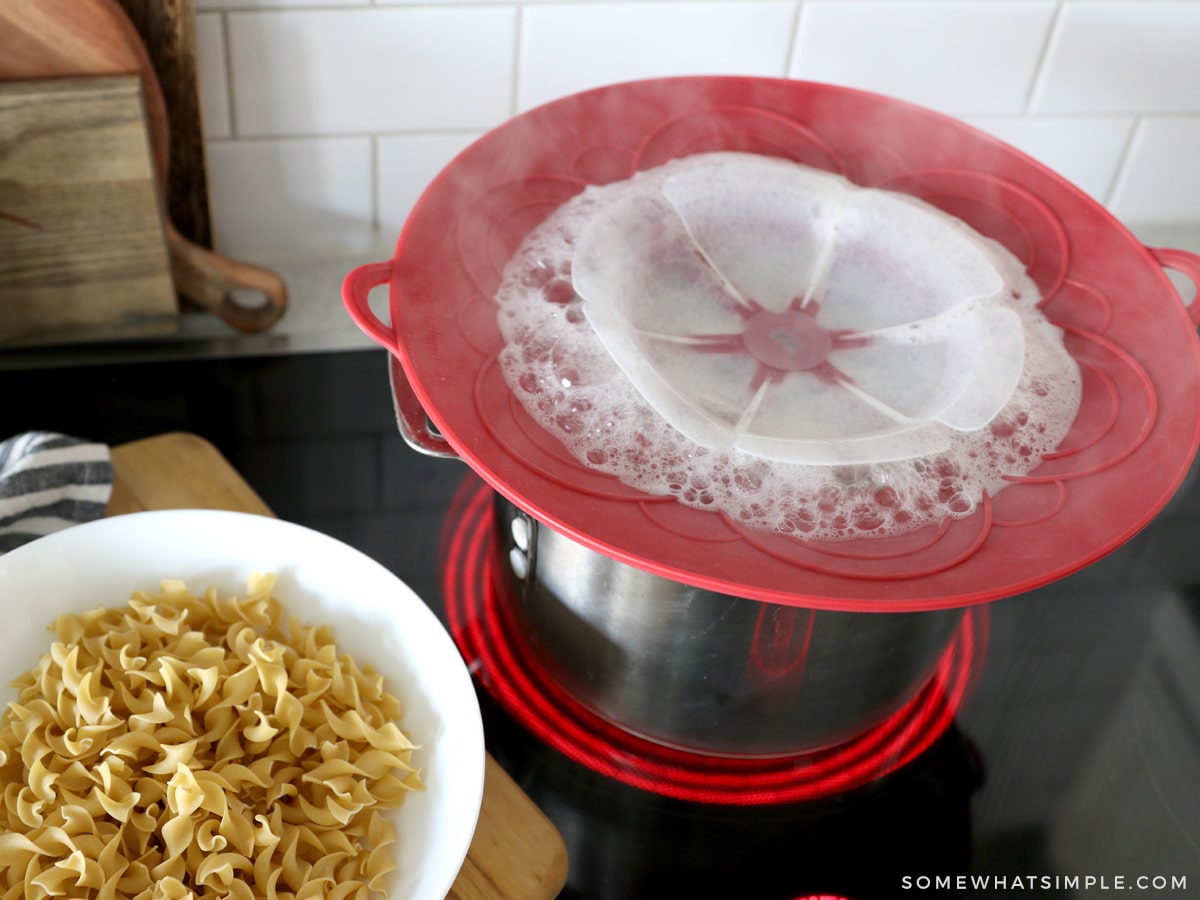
<point x="370" y="71"/>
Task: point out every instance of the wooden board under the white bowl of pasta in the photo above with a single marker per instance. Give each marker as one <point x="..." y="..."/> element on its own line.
<point x="517" y="853"/>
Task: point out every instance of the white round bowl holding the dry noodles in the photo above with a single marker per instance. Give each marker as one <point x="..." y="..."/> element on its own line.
<point x="374" y="616"/>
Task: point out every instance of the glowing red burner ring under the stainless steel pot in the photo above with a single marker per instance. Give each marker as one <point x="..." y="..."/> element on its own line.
<point x="489" y="638"/>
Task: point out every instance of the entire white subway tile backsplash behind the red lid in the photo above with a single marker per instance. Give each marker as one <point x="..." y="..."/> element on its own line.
<point x="328" y="118"/>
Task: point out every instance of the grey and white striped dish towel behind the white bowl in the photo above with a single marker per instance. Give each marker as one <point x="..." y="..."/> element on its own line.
<point x="50" y="482"/>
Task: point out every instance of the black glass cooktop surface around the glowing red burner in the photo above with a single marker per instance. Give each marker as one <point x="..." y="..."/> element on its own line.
<point x="1070" y="769"/>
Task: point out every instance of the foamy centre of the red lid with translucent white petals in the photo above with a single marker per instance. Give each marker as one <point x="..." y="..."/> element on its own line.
<point x="841" y="448"/>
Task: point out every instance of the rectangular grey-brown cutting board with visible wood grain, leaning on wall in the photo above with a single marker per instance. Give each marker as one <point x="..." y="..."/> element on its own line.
<point x="83" y="255"/>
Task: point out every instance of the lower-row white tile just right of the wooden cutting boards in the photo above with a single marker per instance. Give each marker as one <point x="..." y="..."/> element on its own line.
<point x="292" y="195"/>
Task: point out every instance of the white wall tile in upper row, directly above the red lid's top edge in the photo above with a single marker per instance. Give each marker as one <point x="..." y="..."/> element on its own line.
<point x="572" y="47"/>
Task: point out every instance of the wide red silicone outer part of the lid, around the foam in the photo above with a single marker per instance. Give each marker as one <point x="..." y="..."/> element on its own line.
<point x="1127" y="453"/>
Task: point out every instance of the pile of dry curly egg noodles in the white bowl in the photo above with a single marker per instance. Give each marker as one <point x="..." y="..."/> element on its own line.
<point x="200" y="747"/>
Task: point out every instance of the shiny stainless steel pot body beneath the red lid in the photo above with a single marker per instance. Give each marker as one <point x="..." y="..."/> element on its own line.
<point x="703" y="671"/>
